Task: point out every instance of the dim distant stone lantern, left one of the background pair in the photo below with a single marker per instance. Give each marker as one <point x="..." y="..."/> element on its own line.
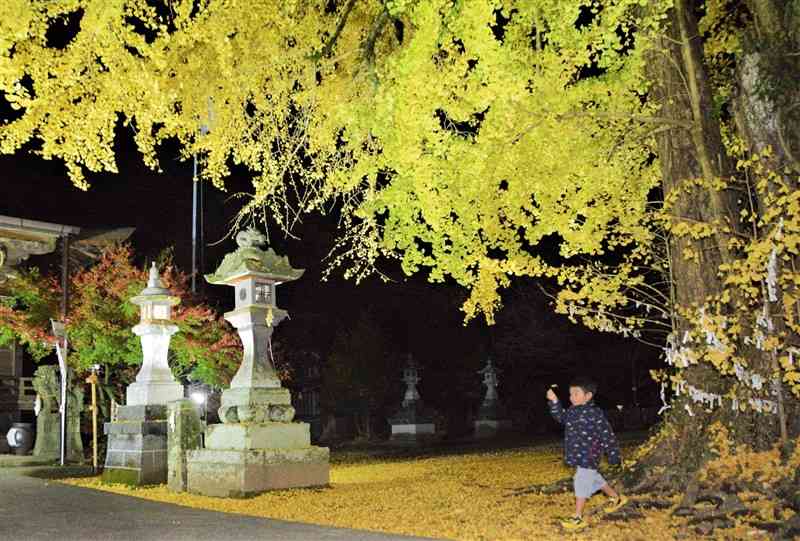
<point x="414" y="422"/>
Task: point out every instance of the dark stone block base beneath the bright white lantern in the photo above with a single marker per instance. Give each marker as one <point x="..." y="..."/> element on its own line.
<point x="137" y="446"/>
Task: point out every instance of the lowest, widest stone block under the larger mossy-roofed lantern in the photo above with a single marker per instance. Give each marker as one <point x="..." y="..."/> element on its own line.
<point x="236" y="473"/>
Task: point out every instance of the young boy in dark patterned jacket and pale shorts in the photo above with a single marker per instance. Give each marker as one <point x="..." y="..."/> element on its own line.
<point x="587" y="434"/>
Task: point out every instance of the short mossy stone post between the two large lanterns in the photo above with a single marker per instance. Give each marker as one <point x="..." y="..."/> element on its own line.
<point x="184" y="433"/>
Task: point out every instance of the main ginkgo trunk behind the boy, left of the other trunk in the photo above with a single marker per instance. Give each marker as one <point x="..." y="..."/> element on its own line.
<point x="683" y="89"/>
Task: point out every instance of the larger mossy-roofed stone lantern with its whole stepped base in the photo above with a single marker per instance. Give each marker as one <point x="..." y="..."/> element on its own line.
<point x="257" y="447"/>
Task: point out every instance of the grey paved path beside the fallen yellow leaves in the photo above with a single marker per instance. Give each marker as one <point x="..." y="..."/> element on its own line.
<point x="35" y="509"/>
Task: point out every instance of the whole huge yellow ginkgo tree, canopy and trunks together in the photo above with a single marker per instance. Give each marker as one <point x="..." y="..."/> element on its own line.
<point x="640" y="157"/>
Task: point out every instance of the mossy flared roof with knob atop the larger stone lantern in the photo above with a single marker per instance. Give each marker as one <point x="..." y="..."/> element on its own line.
<point x="250" y="260"/>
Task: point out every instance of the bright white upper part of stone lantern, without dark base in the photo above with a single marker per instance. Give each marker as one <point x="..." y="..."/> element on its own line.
<point x="154" y="383"/>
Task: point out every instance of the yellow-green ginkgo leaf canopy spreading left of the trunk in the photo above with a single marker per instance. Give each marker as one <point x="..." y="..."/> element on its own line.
<point x="459" y="137"/>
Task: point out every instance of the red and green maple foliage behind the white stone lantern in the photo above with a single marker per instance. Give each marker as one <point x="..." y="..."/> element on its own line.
<point x="101" y="317"/>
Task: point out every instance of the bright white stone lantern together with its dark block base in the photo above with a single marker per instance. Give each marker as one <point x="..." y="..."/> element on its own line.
<point x="137" y="439"/>
